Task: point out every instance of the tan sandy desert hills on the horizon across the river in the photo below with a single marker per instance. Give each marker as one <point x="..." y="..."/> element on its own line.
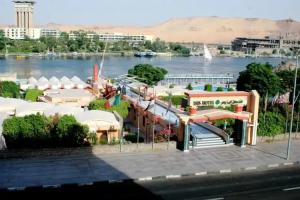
<point x="201" y="29"/>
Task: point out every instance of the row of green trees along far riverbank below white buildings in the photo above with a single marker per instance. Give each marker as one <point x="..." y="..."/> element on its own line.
<point x="83" y="44"/>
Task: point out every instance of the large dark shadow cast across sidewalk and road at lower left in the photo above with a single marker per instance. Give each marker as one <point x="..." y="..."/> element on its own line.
<point x="75" y="172"/>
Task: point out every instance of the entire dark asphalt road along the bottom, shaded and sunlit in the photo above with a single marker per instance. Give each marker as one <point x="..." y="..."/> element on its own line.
<point x="271" y="184"/>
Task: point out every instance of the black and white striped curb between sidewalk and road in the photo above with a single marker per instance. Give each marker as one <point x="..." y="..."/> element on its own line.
<point x="71" y="186"/>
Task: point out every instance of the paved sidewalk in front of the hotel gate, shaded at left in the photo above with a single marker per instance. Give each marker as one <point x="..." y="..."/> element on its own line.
<point x="95" y="167"/>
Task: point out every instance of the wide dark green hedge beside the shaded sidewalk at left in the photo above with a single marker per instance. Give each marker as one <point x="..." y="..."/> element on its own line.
<point x="38" y="131"/>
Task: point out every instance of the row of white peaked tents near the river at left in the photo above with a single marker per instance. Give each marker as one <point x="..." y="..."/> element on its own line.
<point x="53" y="83"/>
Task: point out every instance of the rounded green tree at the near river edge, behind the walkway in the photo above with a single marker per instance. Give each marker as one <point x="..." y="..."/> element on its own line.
<point x="148" y="74"/>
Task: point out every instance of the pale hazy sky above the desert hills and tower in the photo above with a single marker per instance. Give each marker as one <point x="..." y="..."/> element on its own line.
<point x="149" y="12"/>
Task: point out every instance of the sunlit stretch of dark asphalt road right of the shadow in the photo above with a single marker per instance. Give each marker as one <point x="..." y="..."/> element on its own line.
<point x="272" y="184"/>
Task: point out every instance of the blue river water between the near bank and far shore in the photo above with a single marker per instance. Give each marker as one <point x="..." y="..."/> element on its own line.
<point x="117" y="65"/>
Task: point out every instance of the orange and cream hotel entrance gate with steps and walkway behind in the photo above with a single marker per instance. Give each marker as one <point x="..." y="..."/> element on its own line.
<point x="204" y="109"/>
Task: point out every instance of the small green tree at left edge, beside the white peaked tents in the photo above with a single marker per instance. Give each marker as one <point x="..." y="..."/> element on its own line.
<point x="9" y="89"/>
